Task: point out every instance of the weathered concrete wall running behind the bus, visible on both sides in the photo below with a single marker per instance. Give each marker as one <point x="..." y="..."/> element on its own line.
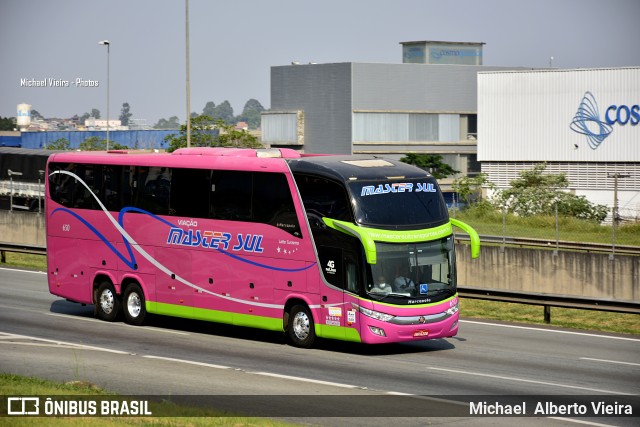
<point x="589" y="275"/>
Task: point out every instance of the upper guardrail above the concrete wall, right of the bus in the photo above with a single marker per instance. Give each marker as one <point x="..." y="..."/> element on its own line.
<point x="552" y="244"/>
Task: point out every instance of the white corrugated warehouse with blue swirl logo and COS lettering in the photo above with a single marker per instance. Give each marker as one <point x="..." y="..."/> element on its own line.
<point x="581" y="122"/>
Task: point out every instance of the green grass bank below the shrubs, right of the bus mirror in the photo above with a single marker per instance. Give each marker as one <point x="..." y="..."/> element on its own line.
<point x="544" y="227"/>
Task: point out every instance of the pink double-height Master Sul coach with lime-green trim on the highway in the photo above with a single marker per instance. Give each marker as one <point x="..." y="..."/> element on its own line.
<point x="354" y="248"/>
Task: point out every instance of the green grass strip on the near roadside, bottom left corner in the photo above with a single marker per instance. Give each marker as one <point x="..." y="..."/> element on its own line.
<point x="15" y="385"/>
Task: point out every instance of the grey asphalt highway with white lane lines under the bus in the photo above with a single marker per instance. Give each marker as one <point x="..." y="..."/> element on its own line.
<point x="45" y="336"/>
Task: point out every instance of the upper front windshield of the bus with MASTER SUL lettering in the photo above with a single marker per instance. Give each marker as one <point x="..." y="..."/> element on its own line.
<point x="411" y="203"/>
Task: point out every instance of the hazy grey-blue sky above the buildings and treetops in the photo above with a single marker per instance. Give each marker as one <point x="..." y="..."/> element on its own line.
<point x="234" y="44"/>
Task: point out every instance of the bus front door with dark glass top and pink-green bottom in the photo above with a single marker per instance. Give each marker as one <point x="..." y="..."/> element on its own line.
<point x="340" y="269"/>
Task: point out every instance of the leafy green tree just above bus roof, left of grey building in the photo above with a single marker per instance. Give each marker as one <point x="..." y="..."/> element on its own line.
<point x="207" y="132"/>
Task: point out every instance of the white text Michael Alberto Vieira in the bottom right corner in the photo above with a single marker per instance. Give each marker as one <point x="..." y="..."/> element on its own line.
<point x="547" y="408"/>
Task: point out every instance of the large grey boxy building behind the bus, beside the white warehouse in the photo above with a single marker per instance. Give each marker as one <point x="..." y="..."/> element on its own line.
<point x="380" y="109"/>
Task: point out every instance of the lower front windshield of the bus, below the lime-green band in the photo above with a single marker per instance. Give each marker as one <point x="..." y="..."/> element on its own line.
<point x="410" y="271"/>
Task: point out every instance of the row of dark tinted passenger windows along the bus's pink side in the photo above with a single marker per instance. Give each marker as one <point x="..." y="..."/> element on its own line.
<point x="197" y="193"/>
